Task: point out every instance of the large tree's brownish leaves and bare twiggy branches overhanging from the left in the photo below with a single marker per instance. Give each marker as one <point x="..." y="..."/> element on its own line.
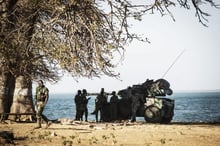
<point x="46" y="38"/>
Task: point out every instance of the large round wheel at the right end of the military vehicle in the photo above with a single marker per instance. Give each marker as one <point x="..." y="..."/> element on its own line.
<point x="152" y="114"/>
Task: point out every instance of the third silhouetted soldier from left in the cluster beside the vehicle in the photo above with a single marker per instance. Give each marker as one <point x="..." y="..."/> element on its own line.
<point x="100" y="102"/>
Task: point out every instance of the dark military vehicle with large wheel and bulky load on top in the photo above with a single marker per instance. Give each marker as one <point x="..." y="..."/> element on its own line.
<point x="155" y="108"/>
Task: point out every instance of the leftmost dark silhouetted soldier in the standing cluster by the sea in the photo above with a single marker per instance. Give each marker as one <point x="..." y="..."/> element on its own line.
<point x="78" y="100"/>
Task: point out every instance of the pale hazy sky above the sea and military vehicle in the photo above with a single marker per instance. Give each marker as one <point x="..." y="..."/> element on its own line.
<point x="198" y="68"/>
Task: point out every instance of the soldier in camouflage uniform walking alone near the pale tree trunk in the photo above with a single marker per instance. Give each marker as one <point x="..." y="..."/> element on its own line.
<point x="41" y="98"/>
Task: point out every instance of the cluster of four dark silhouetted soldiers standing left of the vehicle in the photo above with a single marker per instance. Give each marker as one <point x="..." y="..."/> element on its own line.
<point x="101" y="100"/>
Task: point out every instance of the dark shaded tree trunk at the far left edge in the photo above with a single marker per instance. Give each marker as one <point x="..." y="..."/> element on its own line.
<point x="7" y="82"/>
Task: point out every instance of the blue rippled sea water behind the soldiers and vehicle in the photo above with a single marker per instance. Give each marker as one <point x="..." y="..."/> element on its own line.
<point x="190" y="107"/>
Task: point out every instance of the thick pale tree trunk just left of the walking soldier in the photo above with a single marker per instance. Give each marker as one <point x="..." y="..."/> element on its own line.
<point x="22" y="100"/>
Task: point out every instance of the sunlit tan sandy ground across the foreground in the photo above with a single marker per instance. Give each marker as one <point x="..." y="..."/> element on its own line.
<point x="119" y="134"/>
